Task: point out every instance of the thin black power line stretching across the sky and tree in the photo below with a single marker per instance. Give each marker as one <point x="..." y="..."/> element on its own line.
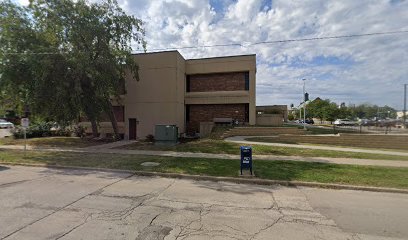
<point x="240" y="44"/>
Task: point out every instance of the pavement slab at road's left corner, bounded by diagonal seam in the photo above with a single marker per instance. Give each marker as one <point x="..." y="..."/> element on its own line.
<point x="47" y="191"/>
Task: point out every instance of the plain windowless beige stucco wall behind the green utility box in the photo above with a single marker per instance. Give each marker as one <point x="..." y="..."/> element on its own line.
<point x="158" y="98"/>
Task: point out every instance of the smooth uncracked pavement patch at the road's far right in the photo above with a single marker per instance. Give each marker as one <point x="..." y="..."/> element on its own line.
<point x="382" y="214"/>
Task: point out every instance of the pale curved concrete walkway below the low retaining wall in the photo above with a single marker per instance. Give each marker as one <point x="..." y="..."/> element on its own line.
<point x="241" y="140"/>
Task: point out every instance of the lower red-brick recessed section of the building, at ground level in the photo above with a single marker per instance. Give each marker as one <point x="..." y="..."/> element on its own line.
<point x="207" y="112"/>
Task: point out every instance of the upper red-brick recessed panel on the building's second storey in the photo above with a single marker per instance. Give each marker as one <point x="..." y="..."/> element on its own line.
<point x="217" y="82"/>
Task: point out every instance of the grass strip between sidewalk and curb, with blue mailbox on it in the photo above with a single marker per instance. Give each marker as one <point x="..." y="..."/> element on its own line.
<point x="277" y="170"/>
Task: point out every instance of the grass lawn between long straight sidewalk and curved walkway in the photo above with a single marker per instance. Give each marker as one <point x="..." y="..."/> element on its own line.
<point x="220" y="146"/>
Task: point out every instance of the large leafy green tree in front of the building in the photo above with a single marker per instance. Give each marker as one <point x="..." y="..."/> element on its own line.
<point x="63" y="58"/>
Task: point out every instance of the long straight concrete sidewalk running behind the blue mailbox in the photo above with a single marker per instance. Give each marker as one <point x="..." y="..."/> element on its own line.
<point x="101" y="149"/>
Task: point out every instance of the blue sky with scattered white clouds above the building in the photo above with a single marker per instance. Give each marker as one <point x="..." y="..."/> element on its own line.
<point x="371" y="69"/>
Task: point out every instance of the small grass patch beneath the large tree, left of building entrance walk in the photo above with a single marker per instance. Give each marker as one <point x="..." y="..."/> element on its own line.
<point x="63" y="142"/>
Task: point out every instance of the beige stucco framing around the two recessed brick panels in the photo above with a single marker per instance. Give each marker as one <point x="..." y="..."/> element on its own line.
<point x="225" y="64"/>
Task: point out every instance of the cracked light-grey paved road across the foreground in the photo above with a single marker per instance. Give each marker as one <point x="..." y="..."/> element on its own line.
<point x="42" y="203"/>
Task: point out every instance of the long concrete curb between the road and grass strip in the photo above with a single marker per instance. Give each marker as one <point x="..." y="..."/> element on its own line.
<point x="243" y="180"/>
